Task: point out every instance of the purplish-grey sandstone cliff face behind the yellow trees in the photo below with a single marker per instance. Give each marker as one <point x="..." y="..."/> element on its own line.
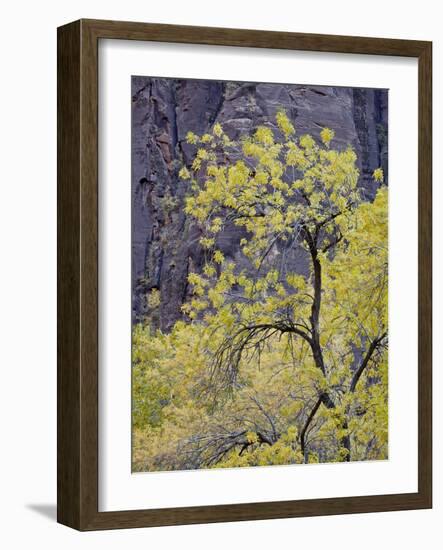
<point x="165" y="245"/>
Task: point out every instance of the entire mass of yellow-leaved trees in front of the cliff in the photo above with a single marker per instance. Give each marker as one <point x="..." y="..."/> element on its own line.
<point x="281" y="356"/>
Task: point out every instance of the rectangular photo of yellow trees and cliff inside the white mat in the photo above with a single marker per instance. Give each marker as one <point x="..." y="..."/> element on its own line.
<point x="259" y="274"/>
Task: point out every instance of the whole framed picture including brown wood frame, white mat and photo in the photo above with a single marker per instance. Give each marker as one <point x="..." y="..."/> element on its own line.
<point x="244" y="275"/>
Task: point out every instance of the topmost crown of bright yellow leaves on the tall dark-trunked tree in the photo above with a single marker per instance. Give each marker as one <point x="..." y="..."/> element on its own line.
<point x="328" y="180"/>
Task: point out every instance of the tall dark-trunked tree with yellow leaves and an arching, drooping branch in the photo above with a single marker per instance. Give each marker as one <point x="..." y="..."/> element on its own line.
<point x="287" y="193"/>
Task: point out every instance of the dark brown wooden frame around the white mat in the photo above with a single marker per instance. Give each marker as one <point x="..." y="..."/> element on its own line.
<point x="77" y="457"/>
